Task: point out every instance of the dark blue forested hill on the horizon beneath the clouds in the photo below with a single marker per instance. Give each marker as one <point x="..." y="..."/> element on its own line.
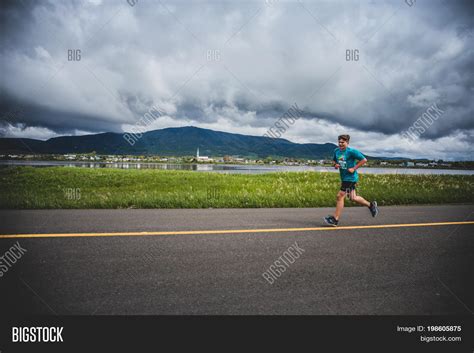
<point x="181" y="141"/>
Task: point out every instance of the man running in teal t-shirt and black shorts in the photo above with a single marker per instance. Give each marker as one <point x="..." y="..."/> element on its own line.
<point x="345" y="160"/>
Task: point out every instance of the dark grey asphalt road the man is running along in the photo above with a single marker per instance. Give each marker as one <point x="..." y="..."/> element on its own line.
<point x="404" y="270"/>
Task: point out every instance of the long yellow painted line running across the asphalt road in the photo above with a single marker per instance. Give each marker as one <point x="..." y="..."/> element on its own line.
<point x="230" y="231"/>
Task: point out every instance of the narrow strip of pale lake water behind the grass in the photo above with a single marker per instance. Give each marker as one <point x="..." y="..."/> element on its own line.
<point x="227" y="168"/>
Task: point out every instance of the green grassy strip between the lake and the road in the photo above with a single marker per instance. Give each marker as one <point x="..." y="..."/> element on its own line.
<point x="62" y="187"/>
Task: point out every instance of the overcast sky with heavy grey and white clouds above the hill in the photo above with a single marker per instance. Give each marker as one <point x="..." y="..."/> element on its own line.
<point x="238" y="66"/>
